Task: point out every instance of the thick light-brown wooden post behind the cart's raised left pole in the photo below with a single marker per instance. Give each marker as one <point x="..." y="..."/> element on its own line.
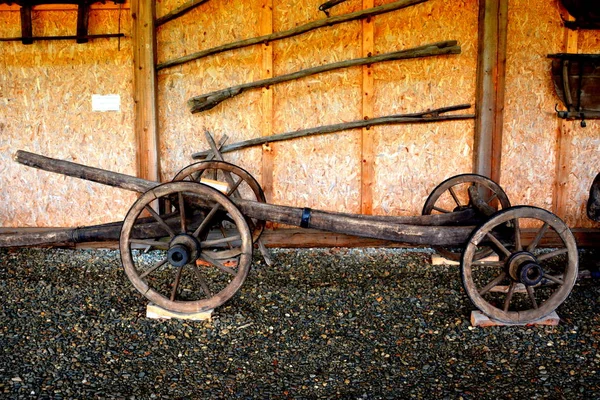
<point x="146" y="122"/>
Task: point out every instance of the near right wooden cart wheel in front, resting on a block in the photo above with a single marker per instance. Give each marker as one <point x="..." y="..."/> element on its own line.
<point x="528" y="283"/>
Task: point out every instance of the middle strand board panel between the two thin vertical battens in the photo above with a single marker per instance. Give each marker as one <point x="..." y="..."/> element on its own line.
<point x="320" y="172"/>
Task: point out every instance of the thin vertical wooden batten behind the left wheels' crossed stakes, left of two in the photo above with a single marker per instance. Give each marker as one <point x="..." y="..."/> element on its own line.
<point x="268" y="154"/>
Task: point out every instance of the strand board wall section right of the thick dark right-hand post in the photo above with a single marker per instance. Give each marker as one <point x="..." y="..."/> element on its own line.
<point x="531" y="128"/>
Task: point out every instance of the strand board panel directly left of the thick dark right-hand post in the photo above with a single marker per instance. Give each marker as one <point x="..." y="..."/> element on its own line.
<point x="410" y="160"/>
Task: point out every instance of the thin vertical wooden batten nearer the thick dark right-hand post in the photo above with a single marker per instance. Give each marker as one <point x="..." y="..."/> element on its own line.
<point x="367" y="140"/>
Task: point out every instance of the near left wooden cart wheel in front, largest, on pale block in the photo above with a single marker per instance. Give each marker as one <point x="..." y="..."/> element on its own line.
<point x="201" y="254"/>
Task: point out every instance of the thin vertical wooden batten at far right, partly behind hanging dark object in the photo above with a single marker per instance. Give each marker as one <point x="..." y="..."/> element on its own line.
<point x="563" y="142"/>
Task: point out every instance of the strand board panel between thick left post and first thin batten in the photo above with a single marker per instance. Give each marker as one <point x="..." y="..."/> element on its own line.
<point x="182" y="133"/>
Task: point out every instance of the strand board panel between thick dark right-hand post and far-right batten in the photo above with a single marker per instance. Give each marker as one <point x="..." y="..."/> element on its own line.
<point x="530" y="125"/>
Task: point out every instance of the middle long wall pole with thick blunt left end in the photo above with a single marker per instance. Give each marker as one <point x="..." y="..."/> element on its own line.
<point x="207" y="101"/>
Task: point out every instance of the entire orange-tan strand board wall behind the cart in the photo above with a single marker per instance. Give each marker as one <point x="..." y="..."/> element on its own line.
<point x="46" y="88"/>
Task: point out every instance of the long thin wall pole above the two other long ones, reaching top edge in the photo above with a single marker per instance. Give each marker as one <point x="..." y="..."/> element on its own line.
<point x="386" y="8"/>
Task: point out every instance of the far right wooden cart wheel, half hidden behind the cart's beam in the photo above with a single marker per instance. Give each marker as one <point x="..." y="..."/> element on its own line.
<point x="453" y="195"/>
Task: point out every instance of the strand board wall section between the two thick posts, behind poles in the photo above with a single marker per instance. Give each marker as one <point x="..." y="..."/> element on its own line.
<point x="324" y="172"/>
